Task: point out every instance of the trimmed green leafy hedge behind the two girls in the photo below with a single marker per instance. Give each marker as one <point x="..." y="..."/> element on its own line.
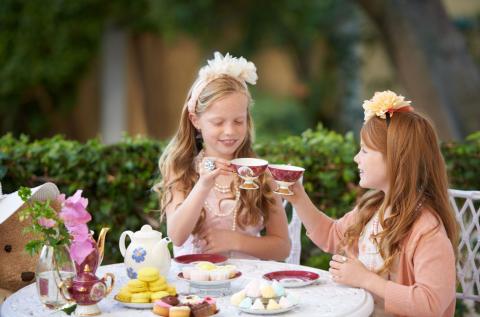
<point x="117" y="178"/>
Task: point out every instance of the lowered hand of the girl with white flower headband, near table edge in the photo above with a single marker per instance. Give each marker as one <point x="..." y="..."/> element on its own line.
<point x="217" y="240"/>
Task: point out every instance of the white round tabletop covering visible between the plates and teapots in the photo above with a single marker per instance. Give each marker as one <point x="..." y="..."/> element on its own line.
<point x="324" y="298"/>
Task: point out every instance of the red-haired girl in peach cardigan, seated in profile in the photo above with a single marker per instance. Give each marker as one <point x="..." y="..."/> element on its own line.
<point x="399" y="241"/>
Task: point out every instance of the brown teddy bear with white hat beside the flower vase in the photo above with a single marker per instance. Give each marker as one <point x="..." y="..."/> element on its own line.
<point x="17" y="267"/>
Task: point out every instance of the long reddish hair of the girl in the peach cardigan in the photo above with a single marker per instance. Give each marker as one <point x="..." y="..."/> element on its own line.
<point x="417" y="175"/>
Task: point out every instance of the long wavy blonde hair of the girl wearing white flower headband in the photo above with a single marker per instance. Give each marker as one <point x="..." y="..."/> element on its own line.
<point x="177" y="165"/>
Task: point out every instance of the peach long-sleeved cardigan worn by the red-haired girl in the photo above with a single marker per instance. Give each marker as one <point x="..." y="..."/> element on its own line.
<point x="425" y="275"/>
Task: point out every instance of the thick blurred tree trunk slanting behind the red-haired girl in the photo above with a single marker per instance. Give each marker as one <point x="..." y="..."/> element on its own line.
<point x="432" y="62"/>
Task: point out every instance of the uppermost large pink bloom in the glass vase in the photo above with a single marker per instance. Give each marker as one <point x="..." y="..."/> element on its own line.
<point x="74" y="210"/>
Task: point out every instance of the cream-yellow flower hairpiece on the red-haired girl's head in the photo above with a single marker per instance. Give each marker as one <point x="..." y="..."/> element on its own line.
<point x="384" y="104"/>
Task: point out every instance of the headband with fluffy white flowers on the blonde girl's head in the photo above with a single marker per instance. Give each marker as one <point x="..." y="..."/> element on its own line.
<point x="238" y="68"/>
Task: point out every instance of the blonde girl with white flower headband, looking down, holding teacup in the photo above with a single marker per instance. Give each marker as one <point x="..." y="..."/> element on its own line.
<point x="206" y="211"/>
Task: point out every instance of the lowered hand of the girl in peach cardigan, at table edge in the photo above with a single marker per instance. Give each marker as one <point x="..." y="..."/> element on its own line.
<point x="349" y="270"/>
